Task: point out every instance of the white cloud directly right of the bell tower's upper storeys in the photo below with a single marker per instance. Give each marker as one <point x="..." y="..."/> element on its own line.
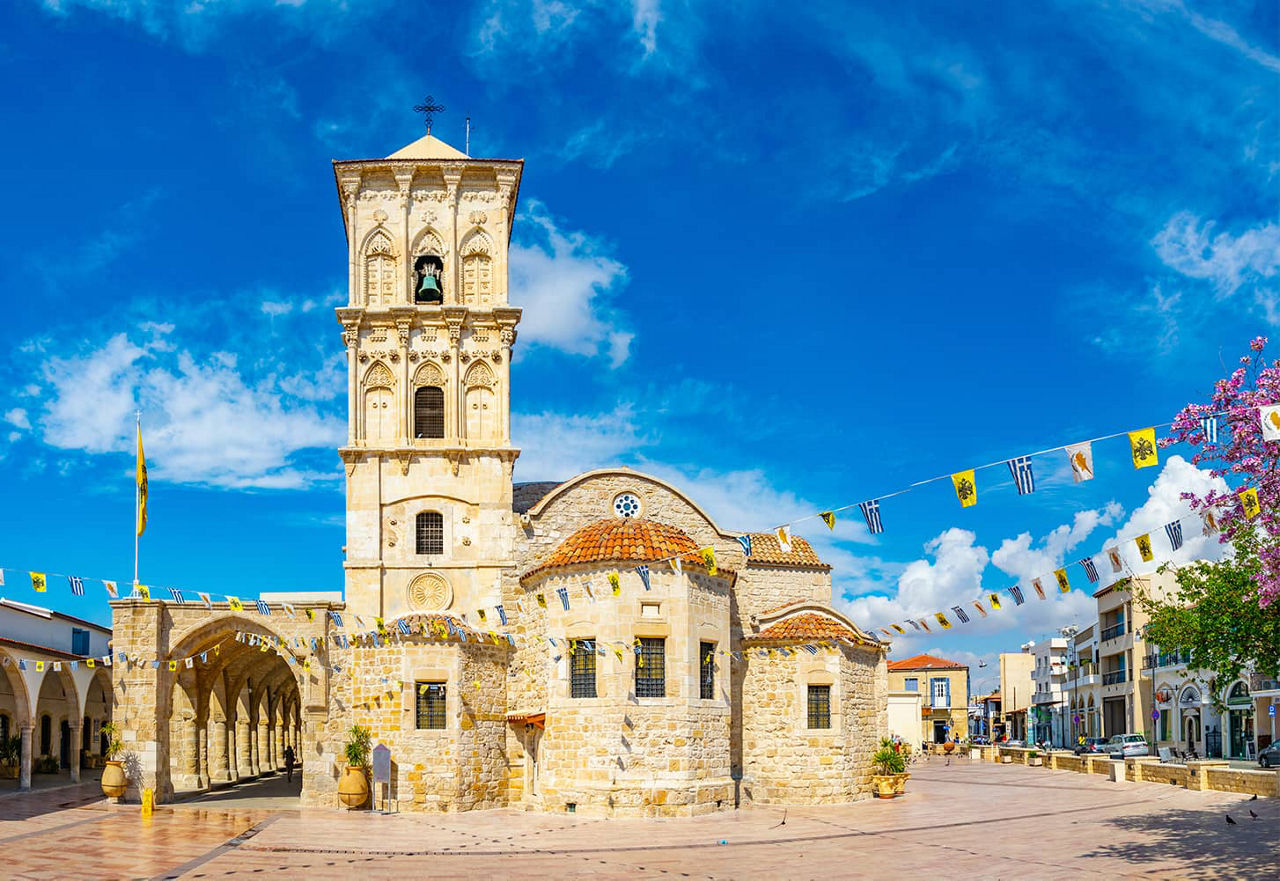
<point x="566" y="284"/>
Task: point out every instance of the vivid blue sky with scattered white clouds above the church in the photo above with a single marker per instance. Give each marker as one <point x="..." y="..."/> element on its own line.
<point x="790" y="257"/>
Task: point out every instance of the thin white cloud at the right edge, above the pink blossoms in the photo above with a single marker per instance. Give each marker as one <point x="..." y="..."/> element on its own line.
<point x="1188" y="245"/>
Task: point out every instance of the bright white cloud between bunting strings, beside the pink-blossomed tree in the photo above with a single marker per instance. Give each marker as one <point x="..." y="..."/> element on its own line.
<point x="1165" y="505"/>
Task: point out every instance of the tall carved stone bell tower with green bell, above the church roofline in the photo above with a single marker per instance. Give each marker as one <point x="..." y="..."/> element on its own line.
<point x="429" y="332"/>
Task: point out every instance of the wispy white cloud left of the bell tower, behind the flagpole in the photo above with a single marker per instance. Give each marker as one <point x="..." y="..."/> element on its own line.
<point x="204" y="422"/>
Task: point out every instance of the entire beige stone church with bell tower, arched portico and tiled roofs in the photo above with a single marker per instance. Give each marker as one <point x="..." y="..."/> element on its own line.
<point x="598" y="646"/>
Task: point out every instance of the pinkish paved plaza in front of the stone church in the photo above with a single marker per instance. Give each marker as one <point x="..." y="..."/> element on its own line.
<point x="961" y="820"/>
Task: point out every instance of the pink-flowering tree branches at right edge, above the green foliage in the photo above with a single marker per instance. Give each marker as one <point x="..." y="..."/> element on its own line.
<point x="1245" y="459"/>
